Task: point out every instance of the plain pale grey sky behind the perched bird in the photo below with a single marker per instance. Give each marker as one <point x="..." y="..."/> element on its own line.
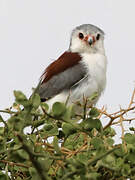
<point x="35" y="32"/>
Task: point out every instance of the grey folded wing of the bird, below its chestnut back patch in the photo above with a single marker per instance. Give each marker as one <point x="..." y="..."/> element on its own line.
<point x="62" y="81"/>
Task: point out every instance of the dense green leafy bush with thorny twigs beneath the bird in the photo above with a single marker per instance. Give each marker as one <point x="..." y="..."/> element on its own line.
<point x="61" y="144"/>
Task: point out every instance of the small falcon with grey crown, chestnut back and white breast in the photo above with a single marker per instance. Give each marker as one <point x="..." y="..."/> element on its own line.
<point x="79" y="72"/>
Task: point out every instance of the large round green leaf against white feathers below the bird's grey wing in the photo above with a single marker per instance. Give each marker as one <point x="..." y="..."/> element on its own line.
<point x="58" y="109"/>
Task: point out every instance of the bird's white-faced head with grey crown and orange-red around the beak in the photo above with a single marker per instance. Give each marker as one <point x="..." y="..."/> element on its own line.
<point x="87" y="38"/>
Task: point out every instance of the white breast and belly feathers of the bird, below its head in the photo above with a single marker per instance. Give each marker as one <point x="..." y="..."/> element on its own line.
<point x="96" y="80"/>
